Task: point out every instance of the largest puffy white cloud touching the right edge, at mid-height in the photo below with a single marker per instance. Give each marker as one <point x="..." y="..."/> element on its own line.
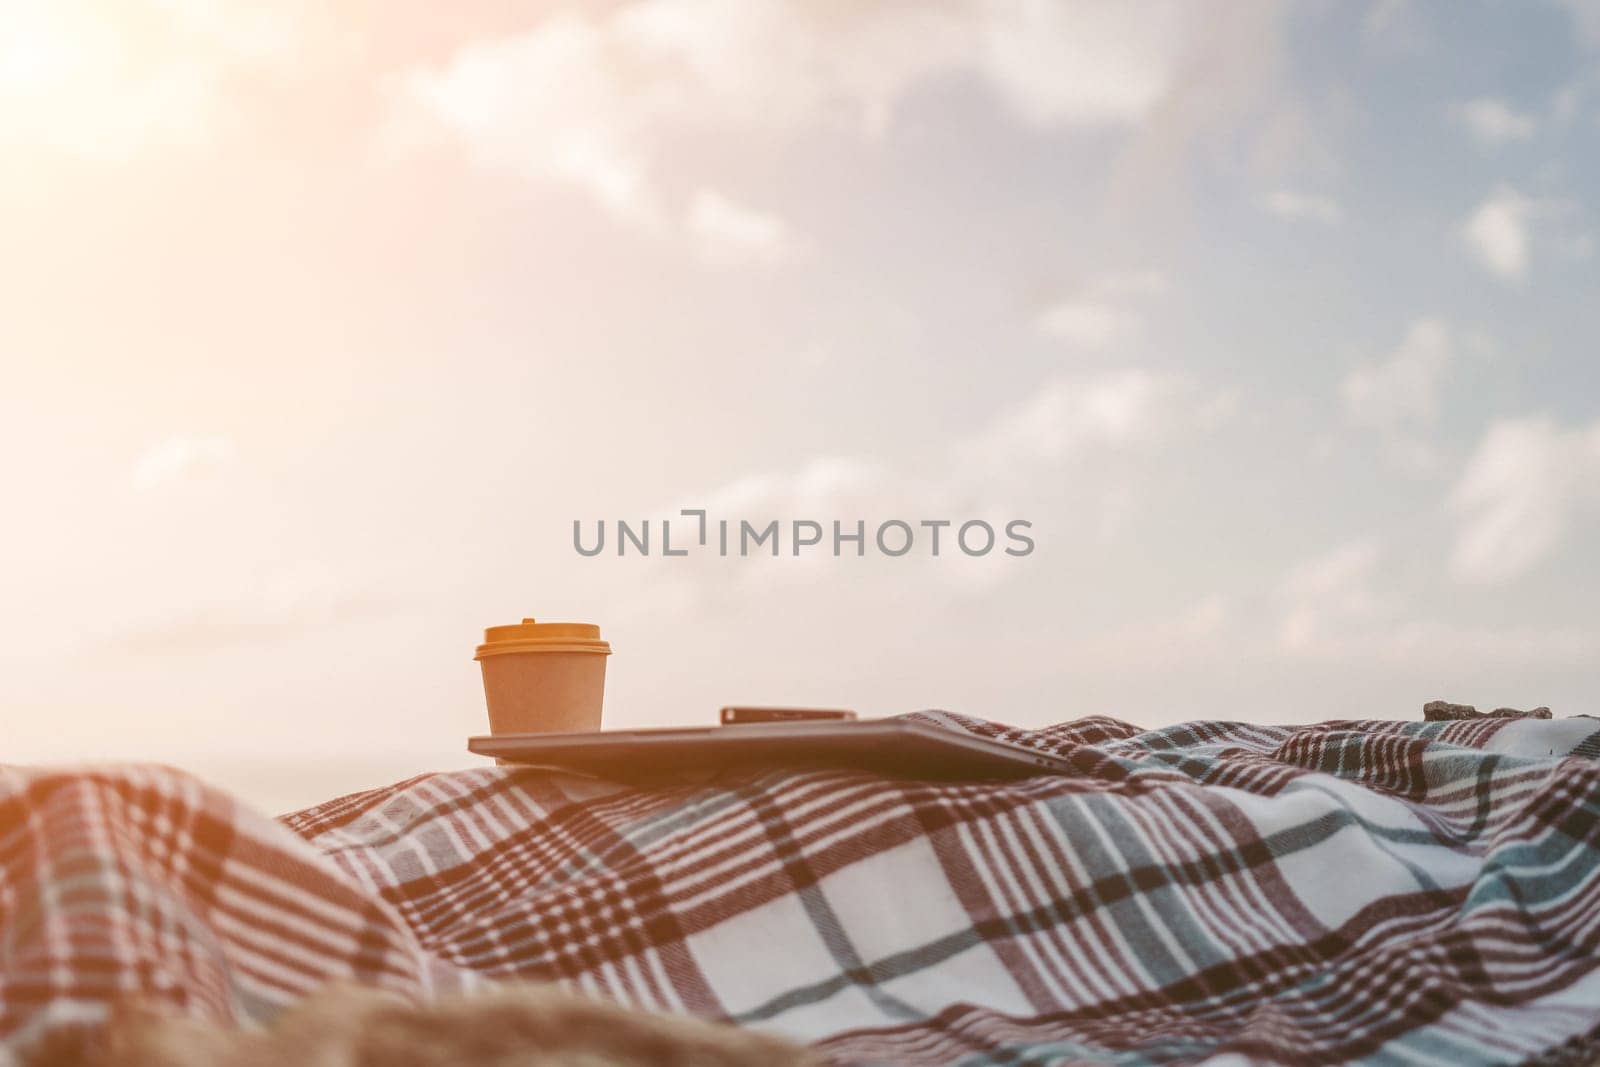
<point x="1521" y="494"/>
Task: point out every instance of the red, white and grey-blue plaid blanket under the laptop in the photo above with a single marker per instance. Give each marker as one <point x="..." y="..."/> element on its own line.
<point x="1362" y="890"/>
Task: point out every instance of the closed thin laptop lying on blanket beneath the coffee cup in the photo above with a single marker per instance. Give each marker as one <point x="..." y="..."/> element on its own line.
<point x="897" y="748"/>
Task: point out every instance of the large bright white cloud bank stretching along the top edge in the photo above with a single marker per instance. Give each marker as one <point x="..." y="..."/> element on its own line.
<point x="593" y="98"/>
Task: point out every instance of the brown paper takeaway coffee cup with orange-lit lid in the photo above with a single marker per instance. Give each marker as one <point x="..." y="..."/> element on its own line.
<point x="543" y="677"/>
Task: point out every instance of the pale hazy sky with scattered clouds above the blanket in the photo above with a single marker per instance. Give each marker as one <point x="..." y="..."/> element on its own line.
<point x="324" y="322"/>
